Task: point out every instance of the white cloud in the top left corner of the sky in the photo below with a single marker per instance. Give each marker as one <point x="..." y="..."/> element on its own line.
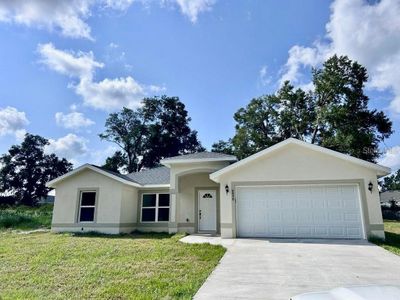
<point x="67" y="16"/>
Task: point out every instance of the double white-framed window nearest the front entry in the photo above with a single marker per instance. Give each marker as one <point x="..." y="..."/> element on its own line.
<point x="155" y="207"/>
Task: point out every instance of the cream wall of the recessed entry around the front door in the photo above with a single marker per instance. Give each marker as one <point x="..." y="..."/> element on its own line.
<point x="187" y="203"/>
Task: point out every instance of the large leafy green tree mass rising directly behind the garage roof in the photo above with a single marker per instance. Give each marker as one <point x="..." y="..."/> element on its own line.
<point x="334" y="115"/>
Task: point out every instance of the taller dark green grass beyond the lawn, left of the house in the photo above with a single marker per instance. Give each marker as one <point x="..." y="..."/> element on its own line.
<point x="24" y="217"/>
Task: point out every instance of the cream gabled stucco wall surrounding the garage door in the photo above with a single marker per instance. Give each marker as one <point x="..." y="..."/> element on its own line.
<point x="296" y="164"/>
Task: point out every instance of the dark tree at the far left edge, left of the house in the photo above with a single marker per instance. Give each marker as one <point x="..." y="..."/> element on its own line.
<point x="26" y="169"/>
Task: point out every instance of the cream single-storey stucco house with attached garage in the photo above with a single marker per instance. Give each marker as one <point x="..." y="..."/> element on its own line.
<point x="291" y="190"/>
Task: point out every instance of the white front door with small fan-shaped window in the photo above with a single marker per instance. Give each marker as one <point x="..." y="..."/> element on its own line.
<point x="207" y="212"/>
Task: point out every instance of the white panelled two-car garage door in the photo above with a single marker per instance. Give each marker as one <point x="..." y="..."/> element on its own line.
<point x="302" y="211"/>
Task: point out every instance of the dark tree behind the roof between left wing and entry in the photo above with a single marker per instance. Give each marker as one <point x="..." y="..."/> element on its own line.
<point x="158" y="129"/>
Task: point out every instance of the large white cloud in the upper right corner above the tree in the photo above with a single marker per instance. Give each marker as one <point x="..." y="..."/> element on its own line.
<point x="366" y="32"/>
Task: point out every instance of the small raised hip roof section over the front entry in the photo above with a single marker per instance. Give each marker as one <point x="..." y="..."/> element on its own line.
<point x="199" y="157"/>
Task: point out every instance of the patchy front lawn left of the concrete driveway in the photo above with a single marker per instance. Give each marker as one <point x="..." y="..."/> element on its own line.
<point x="136" y="266"/>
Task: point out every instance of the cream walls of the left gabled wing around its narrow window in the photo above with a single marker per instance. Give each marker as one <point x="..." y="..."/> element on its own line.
<point x="114" y="200"/>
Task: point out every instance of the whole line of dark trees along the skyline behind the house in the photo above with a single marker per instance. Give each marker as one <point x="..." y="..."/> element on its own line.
<point x="333" y="114"/>
